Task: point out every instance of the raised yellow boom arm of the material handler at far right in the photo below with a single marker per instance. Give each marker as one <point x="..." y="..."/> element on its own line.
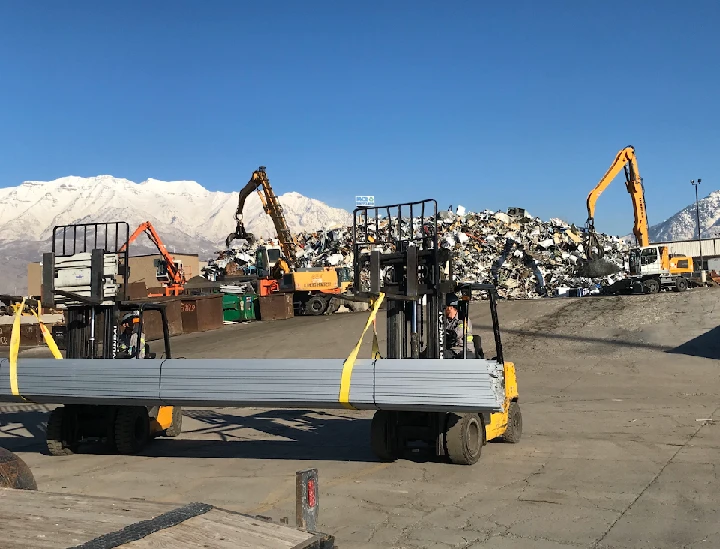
<point x="626" y="160"/>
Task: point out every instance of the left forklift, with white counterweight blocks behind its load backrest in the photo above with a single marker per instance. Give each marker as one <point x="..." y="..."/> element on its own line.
<point x="86" y="274"/>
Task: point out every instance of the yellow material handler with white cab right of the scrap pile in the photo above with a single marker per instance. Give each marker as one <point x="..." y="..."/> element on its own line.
<point x="652" y="267"/>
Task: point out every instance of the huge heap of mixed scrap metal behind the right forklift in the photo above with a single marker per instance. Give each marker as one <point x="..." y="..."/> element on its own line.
<point x="524" y="256"/>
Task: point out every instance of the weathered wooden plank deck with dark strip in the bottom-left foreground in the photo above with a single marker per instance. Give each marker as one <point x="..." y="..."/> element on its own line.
<point x="41" y="520"/>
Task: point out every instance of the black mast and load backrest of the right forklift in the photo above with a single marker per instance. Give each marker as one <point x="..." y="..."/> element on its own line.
<point x="396" y="253"/>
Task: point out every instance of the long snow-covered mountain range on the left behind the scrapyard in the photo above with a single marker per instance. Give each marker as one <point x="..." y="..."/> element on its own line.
<point x="188" y="217"/>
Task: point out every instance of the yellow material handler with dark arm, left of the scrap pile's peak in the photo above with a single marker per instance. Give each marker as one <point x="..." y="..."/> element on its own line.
<point x="313" y="288"/>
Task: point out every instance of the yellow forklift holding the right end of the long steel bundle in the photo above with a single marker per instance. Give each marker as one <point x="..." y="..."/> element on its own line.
<point x="397" y="254"/>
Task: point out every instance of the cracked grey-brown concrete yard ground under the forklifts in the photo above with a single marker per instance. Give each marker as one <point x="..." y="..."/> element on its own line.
<point x="619" y="451"/>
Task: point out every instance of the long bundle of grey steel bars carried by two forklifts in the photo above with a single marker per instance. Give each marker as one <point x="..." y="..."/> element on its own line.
<point x="412" y="385"/>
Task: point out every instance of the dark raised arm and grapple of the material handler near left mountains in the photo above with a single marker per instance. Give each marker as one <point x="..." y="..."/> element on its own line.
<point x="260" y="183"/>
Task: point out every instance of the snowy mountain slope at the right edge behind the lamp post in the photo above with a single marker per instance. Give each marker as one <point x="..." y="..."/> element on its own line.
<point x="683" y="225"/>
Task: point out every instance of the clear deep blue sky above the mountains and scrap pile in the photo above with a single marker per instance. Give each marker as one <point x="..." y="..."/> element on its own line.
<point x="474" y="103"/>
